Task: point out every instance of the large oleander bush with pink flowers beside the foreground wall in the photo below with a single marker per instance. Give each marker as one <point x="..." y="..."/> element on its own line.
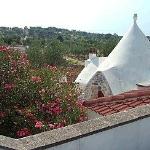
<point x="33" y="100"/>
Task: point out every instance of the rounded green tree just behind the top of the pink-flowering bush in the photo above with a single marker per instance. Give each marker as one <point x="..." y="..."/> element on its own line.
<point x="46" y="52"/>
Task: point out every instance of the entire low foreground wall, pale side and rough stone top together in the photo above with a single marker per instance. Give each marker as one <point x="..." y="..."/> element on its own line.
<point x="126" y="130"/>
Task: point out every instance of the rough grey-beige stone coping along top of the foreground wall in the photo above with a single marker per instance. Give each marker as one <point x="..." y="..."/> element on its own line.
<point x="72" y="132"/>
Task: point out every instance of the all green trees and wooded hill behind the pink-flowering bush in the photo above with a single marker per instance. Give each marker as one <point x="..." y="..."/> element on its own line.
<point x="50" y="43"/>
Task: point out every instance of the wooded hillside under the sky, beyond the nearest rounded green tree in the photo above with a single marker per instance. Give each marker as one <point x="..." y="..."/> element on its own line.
<point x="74" y="42"/>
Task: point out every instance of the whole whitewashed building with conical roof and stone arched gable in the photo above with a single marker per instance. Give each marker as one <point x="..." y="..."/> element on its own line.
<point x="126" y="66"/>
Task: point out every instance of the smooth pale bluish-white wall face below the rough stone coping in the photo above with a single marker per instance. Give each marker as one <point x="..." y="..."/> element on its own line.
<point x="132" y="136"/>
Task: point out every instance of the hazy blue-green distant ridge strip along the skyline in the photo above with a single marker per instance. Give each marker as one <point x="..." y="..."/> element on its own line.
<point x="51" y="32"/>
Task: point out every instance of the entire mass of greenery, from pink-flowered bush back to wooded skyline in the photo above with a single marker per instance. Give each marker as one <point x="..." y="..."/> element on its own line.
<point x="34" y="94"/>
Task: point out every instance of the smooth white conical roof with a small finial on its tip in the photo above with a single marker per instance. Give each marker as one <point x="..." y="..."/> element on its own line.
<point x="129" y="62"/>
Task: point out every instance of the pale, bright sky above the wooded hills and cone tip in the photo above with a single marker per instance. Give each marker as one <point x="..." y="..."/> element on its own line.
<point x="98" y="16"/>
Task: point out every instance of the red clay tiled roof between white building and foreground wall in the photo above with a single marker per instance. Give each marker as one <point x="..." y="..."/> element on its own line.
<point x="113" y="104"/>
